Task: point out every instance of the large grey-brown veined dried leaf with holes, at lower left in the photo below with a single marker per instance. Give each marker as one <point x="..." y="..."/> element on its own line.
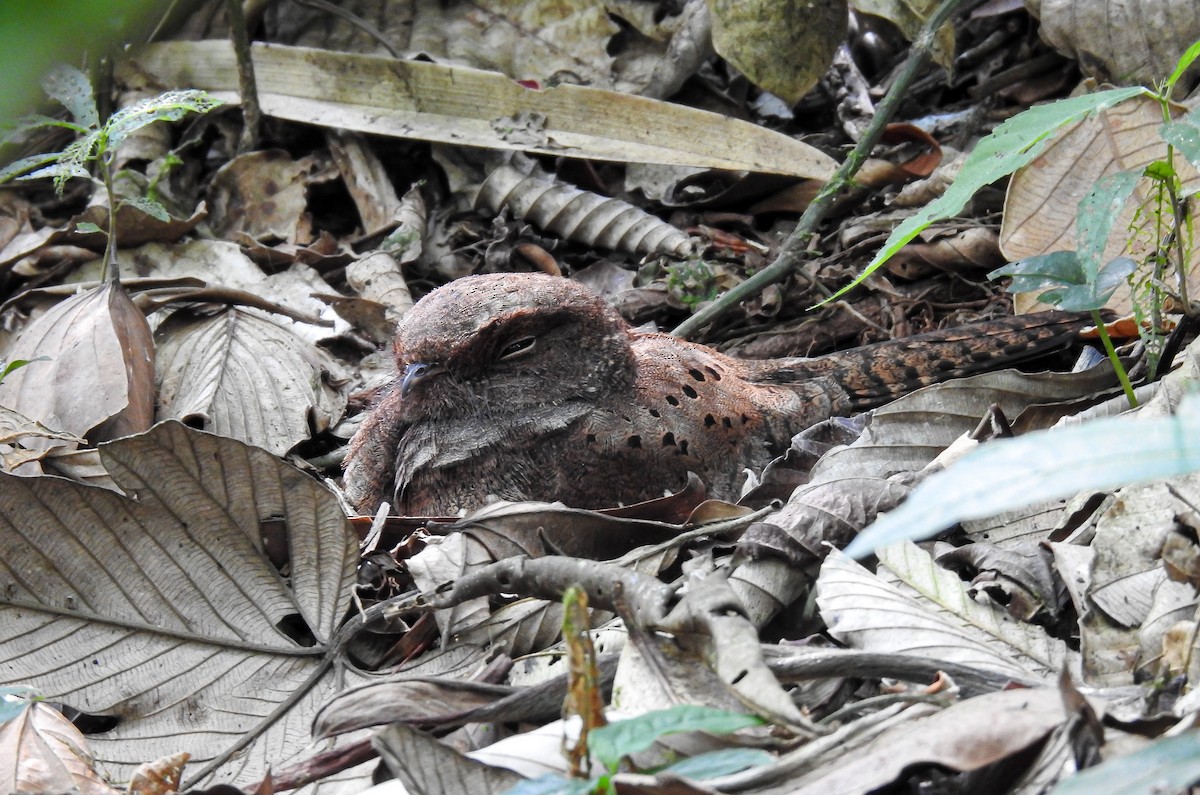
<point x="175" y="601"/>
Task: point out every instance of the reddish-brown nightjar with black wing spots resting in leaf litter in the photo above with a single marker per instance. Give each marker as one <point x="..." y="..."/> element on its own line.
<point x="532" y="387"/>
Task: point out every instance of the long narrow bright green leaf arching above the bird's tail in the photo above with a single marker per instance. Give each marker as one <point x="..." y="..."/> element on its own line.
<point x="1011" y="146"/>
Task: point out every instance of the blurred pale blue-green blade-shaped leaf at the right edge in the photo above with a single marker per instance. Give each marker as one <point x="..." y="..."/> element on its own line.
<point x="1047" y="465"/>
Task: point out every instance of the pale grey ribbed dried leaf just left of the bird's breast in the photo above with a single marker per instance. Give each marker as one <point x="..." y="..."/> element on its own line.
<point x="242" y="375"/>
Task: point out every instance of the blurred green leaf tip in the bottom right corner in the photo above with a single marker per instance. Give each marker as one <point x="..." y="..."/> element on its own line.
<point x="1169" y="766"/>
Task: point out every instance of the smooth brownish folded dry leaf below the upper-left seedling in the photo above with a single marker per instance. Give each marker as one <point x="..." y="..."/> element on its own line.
<point x="99" y="381"/>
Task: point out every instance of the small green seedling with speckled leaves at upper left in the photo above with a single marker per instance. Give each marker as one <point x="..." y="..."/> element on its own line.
<point x="98" y="142"/>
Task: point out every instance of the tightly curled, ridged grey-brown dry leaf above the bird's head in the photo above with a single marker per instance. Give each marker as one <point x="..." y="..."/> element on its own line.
<point x="580" y="216"/>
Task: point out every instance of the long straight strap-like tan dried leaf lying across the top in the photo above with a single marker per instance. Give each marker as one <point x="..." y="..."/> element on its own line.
<point x="467" y="107"/>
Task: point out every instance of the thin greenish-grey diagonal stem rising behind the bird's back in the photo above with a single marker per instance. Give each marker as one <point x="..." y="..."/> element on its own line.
<point x="793" y="253"/>
